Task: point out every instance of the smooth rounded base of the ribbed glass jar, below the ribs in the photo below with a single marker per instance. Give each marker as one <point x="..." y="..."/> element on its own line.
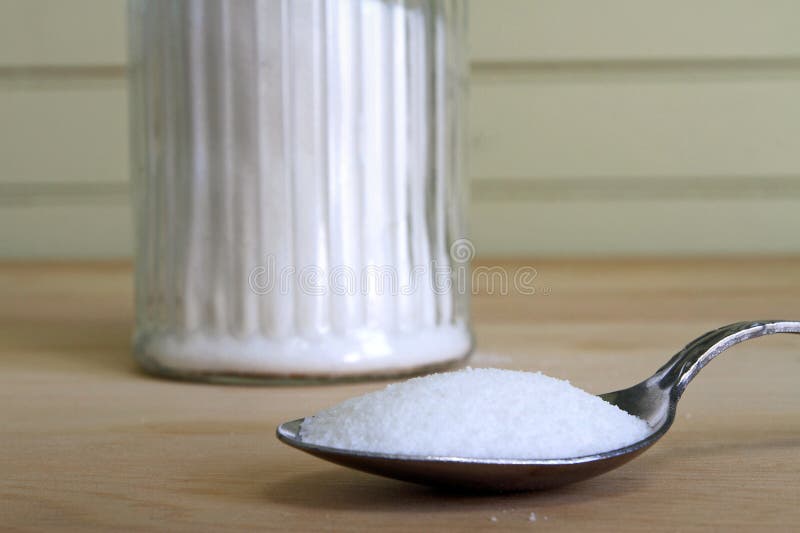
<point x="259" y="360"/>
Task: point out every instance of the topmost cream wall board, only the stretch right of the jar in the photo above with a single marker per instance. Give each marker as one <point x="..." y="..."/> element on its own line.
<point x="563" y="30"/>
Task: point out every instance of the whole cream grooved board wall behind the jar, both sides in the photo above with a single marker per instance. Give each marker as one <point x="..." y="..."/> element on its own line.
<point x="624" y="127"/>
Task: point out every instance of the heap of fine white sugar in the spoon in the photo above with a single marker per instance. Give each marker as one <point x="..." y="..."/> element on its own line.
<point x="480" y="413"/>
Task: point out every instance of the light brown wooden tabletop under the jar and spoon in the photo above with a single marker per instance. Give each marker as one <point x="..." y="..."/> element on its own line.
<point x="89" y="442"/>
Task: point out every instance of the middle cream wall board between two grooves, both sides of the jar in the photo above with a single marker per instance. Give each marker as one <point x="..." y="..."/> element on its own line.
<point x="524" y="130"/>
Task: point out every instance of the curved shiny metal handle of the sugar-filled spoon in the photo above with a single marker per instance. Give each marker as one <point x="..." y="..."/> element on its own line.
<point x="685" y="365"/>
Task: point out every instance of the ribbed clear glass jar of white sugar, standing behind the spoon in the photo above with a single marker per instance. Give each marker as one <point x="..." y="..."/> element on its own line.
<point x="297" y="169"/>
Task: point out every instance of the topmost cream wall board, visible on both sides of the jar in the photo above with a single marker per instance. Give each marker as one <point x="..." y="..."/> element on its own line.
<point x="88" y="32"/>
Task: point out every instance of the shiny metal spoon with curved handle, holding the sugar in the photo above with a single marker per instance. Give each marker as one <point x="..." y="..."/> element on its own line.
<point x="653" y="400"/>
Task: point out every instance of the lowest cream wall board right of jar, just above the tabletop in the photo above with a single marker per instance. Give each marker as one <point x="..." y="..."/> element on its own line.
<point x="671" y="227"/>
